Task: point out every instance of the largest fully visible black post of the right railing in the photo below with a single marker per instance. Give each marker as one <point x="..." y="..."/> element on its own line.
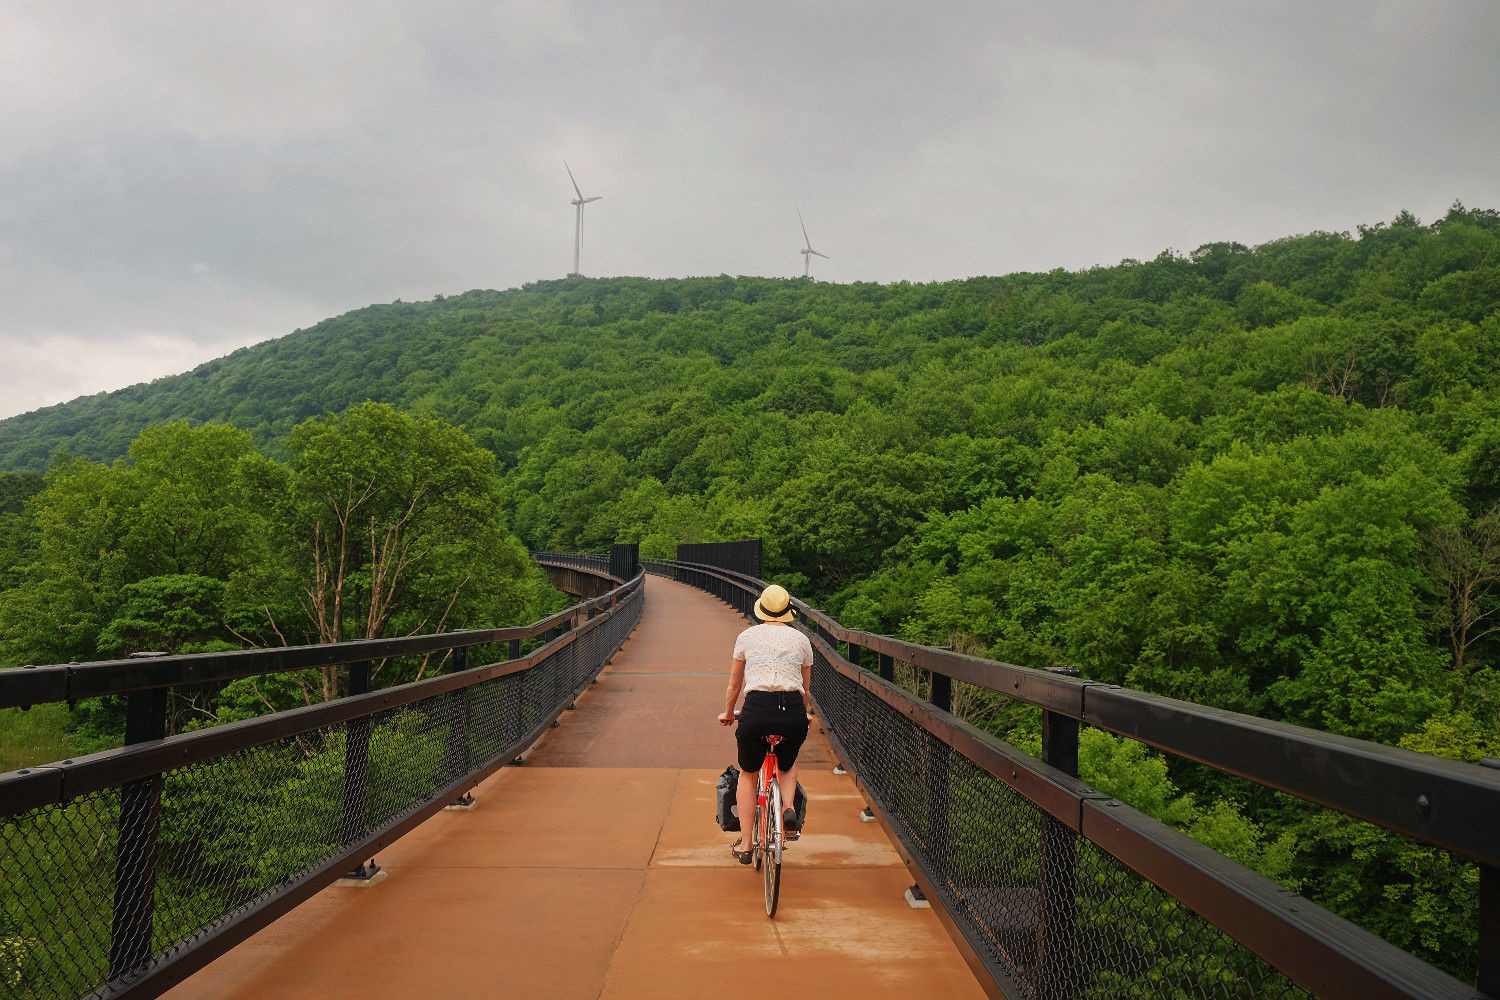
<point x="1057" y="924"/>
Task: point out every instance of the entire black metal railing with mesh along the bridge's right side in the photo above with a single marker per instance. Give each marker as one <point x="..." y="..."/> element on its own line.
<point x="1054" y="890"/>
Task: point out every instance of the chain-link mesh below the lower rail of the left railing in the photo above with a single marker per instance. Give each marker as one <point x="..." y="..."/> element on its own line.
<point x="116" y="882"/>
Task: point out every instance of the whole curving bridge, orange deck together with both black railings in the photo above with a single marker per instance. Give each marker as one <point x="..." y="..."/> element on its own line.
<point x="595" y="872"/>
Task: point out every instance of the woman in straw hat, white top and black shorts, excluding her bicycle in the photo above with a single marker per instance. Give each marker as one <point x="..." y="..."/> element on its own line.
<point x="773" y="663"/>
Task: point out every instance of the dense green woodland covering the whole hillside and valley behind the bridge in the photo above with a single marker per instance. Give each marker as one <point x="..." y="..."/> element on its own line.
<point x="1259" y="479"/>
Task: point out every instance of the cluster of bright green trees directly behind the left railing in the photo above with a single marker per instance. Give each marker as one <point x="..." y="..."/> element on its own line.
<point x="199" y="543"/>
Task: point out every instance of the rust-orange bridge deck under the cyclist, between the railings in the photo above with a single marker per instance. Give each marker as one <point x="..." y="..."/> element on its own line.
<point x="596" y="870"/>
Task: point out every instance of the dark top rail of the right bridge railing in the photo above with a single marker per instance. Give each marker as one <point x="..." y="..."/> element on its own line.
<point x="1445" y="803"/>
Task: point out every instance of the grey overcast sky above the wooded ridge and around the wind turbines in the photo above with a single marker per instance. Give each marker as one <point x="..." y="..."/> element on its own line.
<point x="179" y="179"/>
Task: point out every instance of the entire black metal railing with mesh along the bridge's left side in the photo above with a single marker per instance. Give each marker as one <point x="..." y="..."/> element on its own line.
<point x="125" y="872"/>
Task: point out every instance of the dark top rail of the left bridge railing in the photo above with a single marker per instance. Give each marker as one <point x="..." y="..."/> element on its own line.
<point x="70" y="683"/>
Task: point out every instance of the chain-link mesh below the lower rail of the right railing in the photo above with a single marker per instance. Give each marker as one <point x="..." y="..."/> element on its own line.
<point x="1054" y="914"/>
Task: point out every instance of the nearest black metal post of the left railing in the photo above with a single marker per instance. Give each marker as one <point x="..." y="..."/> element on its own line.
<point x="134" y="921"/>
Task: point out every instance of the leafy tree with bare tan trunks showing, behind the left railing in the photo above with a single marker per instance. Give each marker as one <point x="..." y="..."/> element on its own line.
<point x="403" y="522"/>
